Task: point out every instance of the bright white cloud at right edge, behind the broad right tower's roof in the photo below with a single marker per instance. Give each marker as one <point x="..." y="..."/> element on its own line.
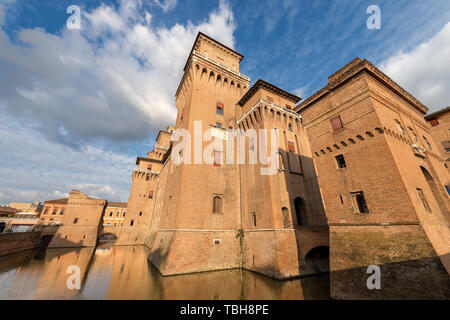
<point x="425" y="71"/>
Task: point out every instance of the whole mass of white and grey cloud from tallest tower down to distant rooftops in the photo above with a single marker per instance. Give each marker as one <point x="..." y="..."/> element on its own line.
<point x="67" y="99"/>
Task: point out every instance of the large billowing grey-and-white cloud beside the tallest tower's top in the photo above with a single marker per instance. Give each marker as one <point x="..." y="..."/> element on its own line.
<point x="115" y="79"/>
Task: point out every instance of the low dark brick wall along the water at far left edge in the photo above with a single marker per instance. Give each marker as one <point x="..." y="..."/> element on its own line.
<point x="18" y="241"/>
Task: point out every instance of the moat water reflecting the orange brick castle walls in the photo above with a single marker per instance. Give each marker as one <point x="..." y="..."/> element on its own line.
<point x="125" y="273"/>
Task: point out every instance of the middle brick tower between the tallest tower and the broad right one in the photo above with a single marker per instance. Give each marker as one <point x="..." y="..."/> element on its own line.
<point x="283" y="220"/>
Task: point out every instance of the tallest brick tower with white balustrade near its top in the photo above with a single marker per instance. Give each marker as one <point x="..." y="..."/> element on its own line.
<point x="188" y="232"/>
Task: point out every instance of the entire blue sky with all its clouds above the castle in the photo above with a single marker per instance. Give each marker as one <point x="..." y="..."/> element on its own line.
<point x="77" y="106"/>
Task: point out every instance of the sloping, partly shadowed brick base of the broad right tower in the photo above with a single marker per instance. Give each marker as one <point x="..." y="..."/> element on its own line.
<point x="410" y="268"/>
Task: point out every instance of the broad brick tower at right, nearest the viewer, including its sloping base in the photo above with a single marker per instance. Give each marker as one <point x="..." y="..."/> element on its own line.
<point x="382" y="183"/>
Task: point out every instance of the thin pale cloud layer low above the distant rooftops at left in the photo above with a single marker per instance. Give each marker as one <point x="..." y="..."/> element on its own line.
<point x="35" y="169"/>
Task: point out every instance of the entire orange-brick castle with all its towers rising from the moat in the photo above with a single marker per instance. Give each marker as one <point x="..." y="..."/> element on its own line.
<point x="360" y="182"/>
